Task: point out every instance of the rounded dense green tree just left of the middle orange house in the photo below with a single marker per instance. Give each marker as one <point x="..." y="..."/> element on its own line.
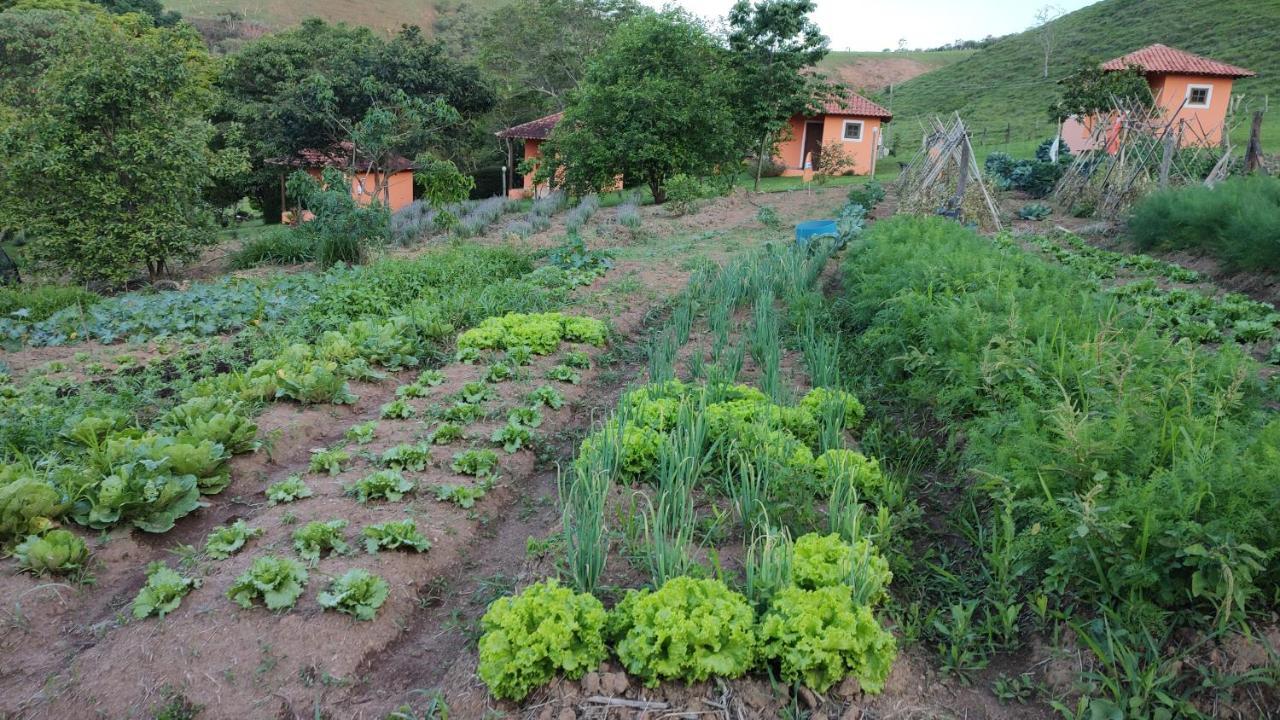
<point x="656" y="103"/>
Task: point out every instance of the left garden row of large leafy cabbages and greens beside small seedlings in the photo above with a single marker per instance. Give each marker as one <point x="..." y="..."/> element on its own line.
<point x="103" y="462"/>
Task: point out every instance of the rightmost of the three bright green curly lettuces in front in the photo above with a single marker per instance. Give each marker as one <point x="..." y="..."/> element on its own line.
<point x="820" y="636"/>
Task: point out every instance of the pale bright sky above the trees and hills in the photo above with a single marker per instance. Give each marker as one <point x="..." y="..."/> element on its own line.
<point x="862" y="25"/>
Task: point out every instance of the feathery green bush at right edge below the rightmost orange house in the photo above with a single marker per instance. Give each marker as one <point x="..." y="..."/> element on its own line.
<point x="1238" y="222"/>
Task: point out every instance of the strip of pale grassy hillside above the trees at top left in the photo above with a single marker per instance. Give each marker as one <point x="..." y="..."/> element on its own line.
<point x="386" y="16"/>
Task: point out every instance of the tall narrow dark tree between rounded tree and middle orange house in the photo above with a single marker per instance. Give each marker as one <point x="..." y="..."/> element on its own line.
<point x="771" y="45"/>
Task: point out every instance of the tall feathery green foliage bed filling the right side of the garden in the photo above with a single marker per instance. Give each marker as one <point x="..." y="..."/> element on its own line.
<point x="1139" y="471"/>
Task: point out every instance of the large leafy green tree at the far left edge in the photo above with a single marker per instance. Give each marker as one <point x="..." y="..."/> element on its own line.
<point x="106" y="168"/>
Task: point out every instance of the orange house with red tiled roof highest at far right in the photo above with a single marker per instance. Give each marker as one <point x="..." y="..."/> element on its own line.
<point x="1192" y="93"/>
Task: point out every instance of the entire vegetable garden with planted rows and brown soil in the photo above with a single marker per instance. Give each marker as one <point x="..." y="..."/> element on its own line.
<point x="804" y="481"/>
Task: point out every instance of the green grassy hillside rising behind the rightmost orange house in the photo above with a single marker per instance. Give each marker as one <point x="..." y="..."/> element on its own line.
<point x="1002" y="88"/>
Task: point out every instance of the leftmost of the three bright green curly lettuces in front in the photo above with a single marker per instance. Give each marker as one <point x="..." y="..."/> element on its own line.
<point x="545" y="631"/>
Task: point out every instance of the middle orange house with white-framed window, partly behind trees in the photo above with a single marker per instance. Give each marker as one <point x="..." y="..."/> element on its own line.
<point x="853" y="125"/>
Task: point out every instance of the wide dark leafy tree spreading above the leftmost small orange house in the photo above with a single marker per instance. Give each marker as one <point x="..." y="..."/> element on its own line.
<point x="310" y="86"/>
